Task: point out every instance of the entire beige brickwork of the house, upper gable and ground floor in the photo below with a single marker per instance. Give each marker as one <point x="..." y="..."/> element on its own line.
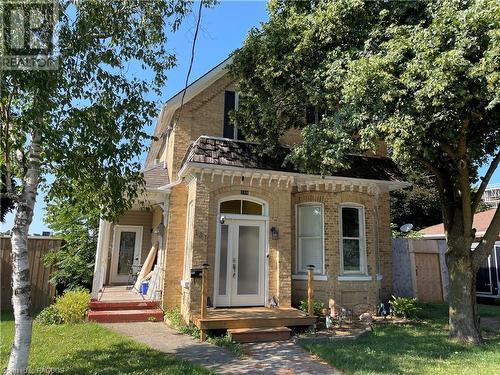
<point x="204" y="115"/>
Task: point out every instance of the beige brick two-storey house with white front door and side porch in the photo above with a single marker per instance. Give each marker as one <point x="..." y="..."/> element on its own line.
<point x="255" y="220"/>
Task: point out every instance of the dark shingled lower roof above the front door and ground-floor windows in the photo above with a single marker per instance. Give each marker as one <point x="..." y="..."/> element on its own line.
<point x="231" y="153"/>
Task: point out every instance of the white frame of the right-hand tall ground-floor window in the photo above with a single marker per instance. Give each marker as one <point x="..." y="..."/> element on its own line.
<point x="362" y="240"/>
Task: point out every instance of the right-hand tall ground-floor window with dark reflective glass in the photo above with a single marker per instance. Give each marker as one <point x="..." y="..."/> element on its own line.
<point x="352" y="239"/>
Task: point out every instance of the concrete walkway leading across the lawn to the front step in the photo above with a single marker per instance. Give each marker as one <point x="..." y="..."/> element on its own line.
<point x="279" y="358"/>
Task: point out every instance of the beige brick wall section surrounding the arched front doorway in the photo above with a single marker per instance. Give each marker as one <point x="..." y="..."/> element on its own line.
<point x="208" y="194"/>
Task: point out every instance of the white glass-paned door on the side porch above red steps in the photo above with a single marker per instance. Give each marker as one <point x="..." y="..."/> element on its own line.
<point x="126" y="252"/>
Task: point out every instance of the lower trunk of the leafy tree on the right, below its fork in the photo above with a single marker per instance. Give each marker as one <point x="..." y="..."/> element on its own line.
<point x="463" y="313"/>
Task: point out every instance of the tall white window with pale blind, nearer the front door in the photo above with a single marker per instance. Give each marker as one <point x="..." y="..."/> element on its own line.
<point x="310" y="244"/>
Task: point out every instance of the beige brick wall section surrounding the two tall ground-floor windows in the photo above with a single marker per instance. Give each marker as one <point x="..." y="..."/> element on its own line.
<point x="348" y="293"/>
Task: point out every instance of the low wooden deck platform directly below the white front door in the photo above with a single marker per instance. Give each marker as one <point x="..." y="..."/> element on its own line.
<point x="253" y="317"/>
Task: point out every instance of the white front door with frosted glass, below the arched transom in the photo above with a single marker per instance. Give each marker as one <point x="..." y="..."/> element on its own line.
<point x="240" y="264"/>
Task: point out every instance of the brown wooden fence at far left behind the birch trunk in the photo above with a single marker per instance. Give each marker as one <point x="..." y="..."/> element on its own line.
<point x="42" y="292"/>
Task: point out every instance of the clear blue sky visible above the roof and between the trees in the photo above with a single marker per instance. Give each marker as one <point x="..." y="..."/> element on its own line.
<point x="223" y="29"/>
